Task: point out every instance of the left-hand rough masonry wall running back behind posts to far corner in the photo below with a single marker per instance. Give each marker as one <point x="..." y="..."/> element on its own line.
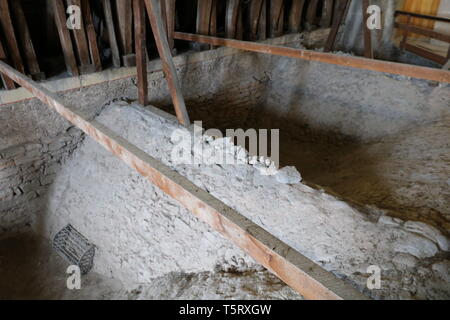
<point x="35" y="141"/>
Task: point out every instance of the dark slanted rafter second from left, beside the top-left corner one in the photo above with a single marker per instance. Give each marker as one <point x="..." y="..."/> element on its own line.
<point x="26" y="42"/>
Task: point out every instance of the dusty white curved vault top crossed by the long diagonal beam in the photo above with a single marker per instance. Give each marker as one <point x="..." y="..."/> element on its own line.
<point x="141" y="234"/>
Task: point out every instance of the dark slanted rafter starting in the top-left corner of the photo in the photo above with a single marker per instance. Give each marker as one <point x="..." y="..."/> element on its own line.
<point x="10" y="36"/>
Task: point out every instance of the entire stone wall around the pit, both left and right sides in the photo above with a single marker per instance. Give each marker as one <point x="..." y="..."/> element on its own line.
<point x="224" y="88"/>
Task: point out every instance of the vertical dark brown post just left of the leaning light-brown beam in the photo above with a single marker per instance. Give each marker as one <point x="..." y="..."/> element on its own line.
<point x="141" y="50"/>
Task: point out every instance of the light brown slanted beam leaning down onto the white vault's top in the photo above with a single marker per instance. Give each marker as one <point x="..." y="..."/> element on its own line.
<point x="154" y="13"/>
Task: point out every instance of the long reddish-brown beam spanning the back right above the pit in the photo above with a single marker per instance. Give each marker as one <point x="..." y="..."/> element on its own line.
<point x="348" y="61"/>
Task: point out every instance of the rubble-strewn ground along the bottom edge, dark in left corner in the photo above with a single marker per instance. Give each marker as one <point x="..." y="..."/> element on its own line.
<point x="35" y="271"/>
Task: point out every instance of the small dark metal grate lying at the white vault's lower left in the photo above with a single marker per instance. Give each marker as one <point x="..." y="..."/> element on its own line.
<point x="75" y="248"/>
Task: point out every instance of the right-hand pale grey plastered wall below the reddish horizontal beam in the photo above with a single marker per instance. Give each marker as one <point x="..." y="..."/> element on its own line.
<point x="312" y="99"/>
